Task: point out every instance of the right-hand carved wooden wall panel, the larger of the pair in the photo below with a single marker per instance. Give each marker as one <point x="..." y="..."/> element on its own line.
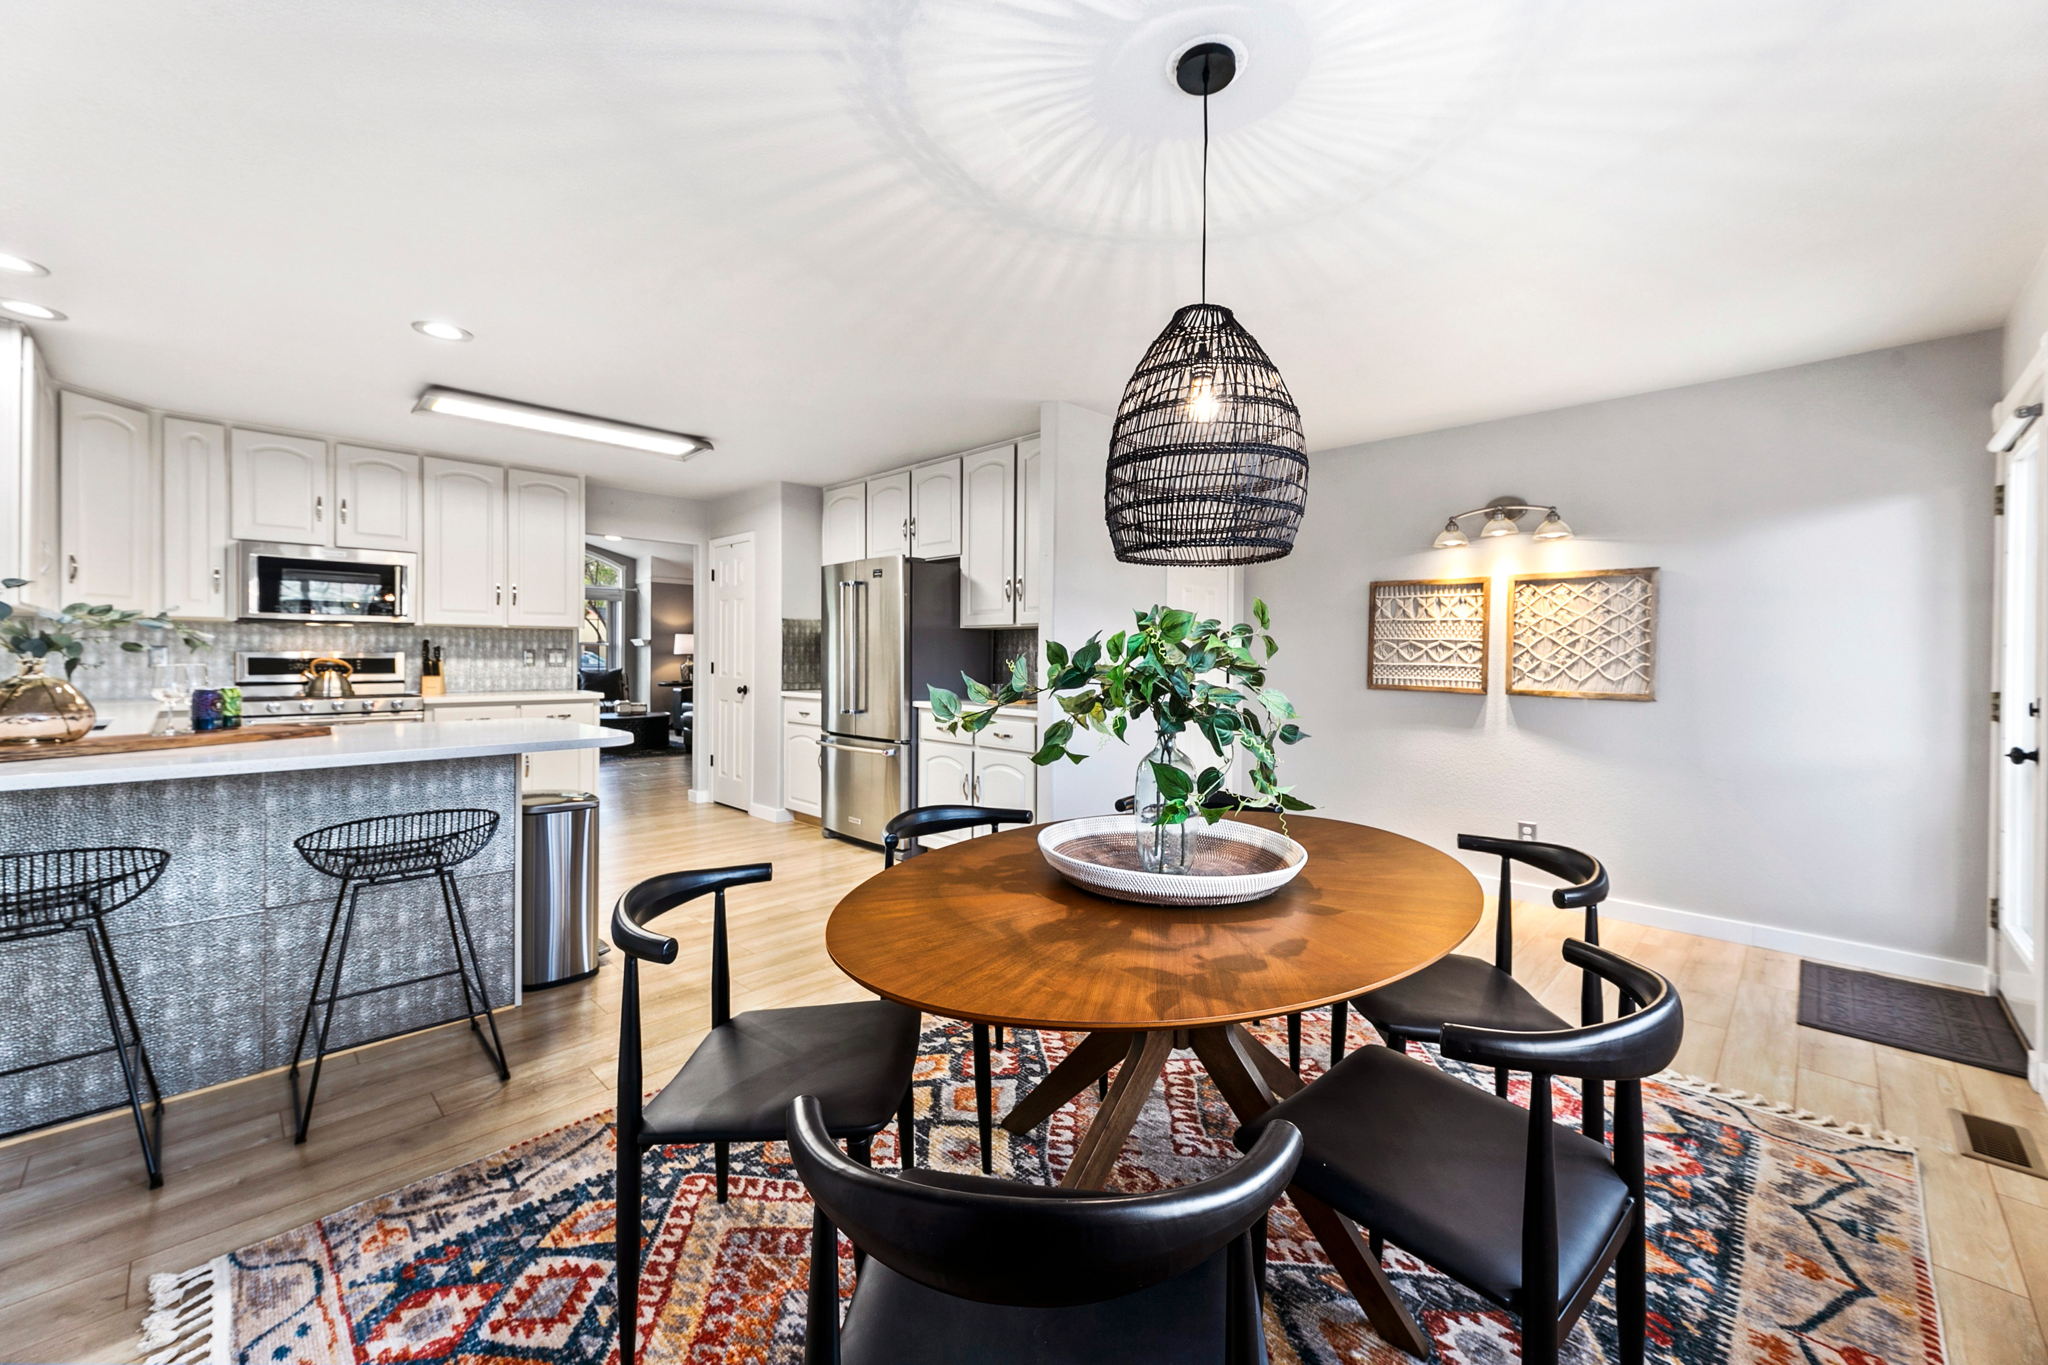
<point x="1588" y="633"/>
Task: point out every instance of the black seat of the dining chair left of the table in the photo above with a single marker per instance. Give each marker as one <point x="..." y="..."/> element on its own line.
<point x="736" y="1088"/>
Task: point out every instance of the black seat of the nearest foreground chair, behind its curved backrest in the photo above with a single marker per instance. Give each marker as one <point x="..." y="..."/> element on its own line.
<point x="896" y="1321"/>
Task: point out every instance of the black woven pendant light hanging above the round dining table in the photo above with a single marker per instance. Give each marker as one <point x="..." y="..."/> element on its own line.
<point x="1207" y="459"/>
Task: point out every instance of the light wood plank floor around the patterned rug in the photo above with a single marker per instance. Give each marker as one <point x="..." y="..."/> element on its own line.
<point x="81" y="1235"/>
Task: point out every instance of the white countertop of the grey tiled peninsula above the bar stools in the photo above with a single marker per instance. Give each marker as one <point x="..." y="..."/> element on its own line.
<point x="347" y="746"/>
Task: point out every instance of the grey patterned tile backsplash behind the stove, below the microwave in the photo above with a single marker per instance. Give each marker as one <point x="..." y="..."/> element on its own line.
<point x="476" y="658"/>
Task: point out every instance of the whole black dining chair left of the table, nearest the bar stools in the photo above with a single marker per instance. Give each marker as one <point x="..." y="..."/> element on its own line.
<point x="857" y="1059"/>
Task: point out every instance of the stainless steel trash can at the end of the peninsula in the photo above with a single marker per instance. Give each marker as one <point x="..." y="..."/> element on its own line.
<point x="558" y="889"/>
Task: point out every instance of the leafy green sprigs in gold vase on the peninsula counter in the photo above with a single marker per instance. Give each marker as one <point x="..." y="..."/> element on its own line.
<point x="38" y="707"/>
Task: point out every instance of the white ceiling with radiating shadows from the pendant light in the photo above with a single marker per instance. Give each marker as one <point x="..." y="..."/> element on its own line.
<point x="837" y="234"/>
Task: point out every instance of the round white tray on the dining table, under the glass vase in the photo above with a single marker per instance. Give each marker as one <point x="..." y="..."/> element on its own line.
<point x="1232" y="863"/>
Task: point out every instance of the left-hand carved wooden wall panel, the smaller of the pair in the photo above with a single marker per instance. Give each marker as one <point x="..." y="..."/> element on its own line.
<point x="1422" y="635"/>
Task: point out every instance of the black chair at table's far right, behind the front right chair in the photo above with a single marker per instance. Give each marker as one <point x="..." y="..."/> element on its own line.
<point x="1461" y="989"/>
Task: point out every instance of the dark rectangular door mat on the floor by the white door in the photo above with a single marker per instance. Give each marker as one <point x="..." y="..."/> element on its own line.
<point x="1957" y="1026"/>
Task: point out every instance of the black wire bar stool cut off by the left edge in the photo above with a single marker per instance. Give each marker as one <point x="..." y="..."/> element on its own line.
<point x="71" y="891"/>
